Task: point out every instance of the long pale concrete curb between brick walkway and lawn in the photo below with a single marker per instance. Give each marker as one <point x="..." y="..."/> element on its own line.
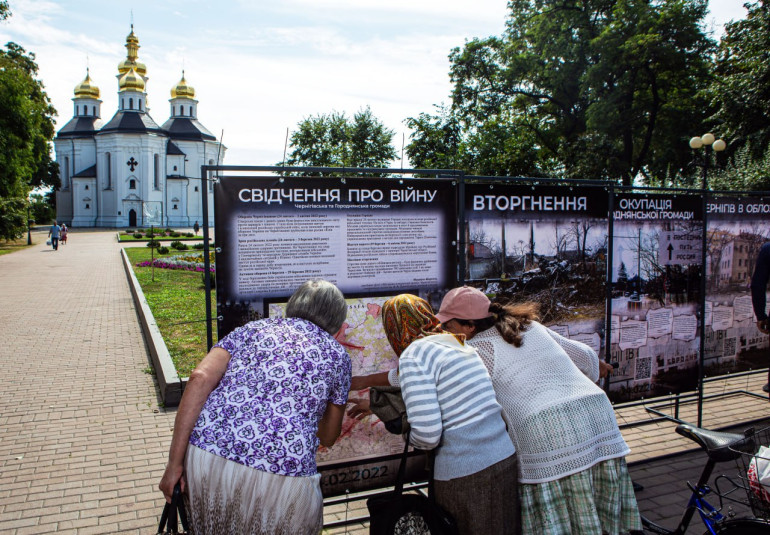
<point x="171" y="385"/>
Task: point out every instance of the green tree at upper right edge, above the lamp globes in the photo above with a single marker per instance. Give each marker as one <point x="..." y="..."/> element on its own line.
<point x="741" y="85"/>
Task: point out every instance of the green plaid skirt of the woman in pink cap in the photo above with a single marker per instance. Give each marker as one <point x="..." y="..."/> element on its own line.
<point x="598" y="500"/>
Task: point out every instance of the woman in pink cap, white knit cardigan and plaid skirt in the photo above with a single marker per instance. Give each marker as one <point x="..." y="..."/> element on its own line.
<point x="573" y="477"/>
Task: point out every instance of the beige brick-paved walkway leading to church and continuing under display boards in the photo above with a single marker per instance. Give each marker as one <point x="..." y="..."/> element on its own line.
<point x="83" y="440"/>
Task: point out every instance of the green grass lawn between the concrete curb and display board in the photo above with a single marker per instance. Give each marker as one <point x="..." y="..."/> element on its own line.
<point x="177" y="299"/>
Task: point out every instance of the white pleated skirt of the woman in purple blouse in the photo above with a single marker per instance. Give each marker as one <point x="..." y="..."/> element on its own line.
<point x="224" y="497"/>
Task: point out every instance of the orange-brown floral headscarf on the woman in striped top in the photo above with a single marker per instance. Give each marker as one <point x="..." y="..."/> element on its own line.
<point x="406" y="318"/>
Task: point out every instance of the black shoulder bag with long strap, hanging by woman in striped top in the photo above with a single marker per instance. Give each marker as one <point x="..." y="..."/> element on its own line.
<point x="396" y="513"/>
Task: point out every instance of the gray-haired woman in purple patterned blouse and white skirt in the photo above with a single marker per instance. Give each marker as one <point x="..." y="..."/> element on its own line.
<point x="252" y="416"/>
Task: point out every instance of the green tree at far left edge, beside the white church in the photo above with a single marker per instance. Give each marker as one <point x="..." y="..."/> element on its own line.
<point x="26" y="131"/>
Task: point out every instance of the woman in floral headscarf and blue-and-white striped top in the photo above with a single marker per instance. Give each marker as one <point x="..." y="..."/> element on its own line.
<point x="451" y="407"/>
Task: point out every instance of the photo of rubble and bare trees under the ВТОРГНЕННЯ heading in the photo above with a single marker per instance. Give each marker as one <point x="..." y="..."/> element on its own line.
<point x="559" y="262"/>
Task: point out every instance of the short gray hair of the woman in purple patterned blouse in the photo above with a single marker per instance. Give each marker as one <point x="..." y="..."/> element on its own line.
<point x="320" y="302"/>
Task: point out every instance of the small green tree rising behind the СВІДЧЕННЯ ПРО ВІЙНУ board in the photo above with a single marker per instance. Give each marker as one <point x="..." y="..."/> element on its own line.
<point x="333" y="140"/>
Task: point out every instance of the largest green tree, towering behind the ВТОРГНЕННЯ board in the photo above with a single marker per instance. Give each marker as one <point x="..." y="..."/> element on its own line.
<point x="599" y="89"/>
